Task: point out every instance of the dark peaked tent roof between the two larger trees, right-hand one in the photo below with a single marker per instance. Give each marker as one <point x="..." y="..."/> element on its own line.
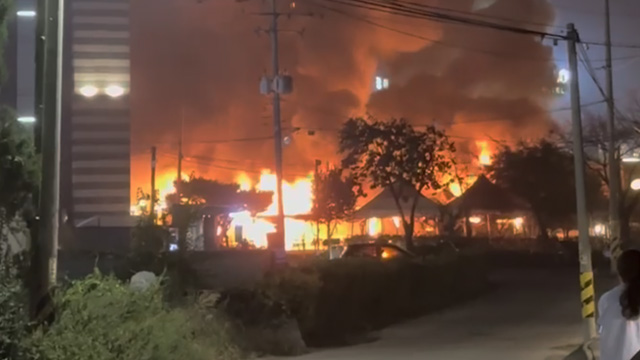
<point x="485" y="196"/>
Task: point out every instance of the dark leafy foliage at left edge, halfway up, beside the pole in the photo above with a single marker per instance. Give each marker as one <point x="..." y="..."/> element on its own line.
<point x="19" y="173"/>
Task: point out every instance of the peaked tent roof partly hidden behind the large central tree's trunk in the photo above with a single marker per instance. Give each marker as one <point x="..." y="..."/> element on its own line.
<point x="384" y="205"/>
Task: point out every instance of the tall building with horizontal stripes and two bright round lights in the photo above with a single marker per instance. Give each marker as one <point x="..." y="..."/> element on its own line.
<point x="96" y="113"/>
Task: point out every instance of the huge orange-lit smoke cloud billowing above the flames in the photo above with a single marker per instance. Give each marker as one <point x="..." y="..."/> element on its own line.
<point x="204" y="60"/>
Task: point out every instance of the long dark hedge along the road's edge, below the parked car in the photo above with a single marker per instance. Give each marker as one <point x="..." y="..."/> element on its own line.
<point x="335" y="301"/>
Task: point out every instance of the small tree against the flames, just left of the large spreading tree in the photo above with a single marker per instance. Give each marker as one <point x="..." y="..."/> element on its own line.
<point x="334" y="198"/>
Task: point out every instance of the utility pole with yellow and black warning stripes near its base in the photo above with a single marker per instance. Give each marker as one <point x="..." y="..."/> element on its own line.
<point x="587" y="294"/>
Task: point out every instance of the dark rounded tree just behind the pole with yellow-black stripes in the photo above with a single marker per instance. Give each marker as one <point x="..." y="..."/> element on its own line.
<point x="543" y="174"/>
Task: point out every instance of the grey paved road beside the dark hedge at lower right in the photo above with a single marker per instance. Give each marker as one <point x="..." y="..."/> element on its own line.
<point x="533" y="315"/>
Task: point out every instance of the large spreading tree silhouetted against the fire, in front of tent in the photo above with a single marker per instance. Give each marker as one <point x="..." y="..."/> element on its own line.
<point x="386" y="153"/>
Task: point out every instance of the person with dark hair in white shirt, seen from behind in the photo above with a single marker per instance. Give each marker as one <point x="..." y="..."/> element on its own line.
<point x="619" y="311"/>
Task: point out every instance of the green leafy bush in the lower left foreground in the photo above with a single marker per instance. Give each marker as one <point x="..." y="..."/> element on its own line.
<point x="100" y="318"/>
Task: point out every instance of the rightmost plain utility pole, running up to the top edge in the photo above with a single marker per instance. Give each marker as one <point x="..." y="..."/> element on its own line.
<point x="614" y="164"/>
